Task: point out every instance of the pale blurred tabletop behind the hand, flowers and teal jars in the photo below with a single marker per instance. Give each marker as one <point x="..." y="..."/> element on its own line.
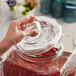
<point x="5" y="15"/>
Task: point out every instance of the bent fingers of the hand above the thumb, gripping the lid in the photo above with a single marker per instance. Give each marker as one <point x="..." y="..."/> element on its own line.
<point x="21" y="22"/>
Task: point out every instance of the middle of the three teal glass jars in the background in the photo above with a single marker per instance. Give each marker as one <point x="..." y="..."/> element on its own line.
<point x="57" y="8"/>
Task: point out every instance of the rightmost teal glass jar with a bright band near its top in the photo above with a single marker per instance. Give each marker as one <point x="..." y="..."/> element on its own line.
<point x="69" y="11"/>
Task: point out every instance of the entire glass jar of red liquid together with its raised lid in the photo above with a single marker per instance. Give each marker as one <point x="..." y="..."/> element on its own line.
<point x="40" y="61"/>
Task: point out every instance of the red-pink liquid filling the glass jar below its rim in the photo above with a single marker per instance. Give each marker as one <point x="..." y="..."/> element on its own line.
<point x="15" y="66"/>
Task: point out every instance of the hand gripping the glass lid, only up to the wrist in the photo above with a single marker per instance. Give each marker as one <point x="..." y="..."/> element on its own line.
<point x="16" y="30"/>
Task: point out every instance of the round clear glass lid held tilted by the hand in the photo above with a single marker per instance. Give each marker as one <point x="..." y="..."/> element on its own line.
<point x="49" y="33"/>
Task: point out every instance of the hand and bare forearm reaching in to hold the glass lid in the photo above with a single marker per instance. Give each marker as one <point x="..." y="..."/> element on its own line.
<point x="16" y="33"/>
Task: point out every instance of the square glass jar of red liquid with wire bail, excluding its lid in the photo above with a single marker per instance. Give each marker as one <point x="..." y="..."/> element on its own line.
<point x="18" y="64"/>
